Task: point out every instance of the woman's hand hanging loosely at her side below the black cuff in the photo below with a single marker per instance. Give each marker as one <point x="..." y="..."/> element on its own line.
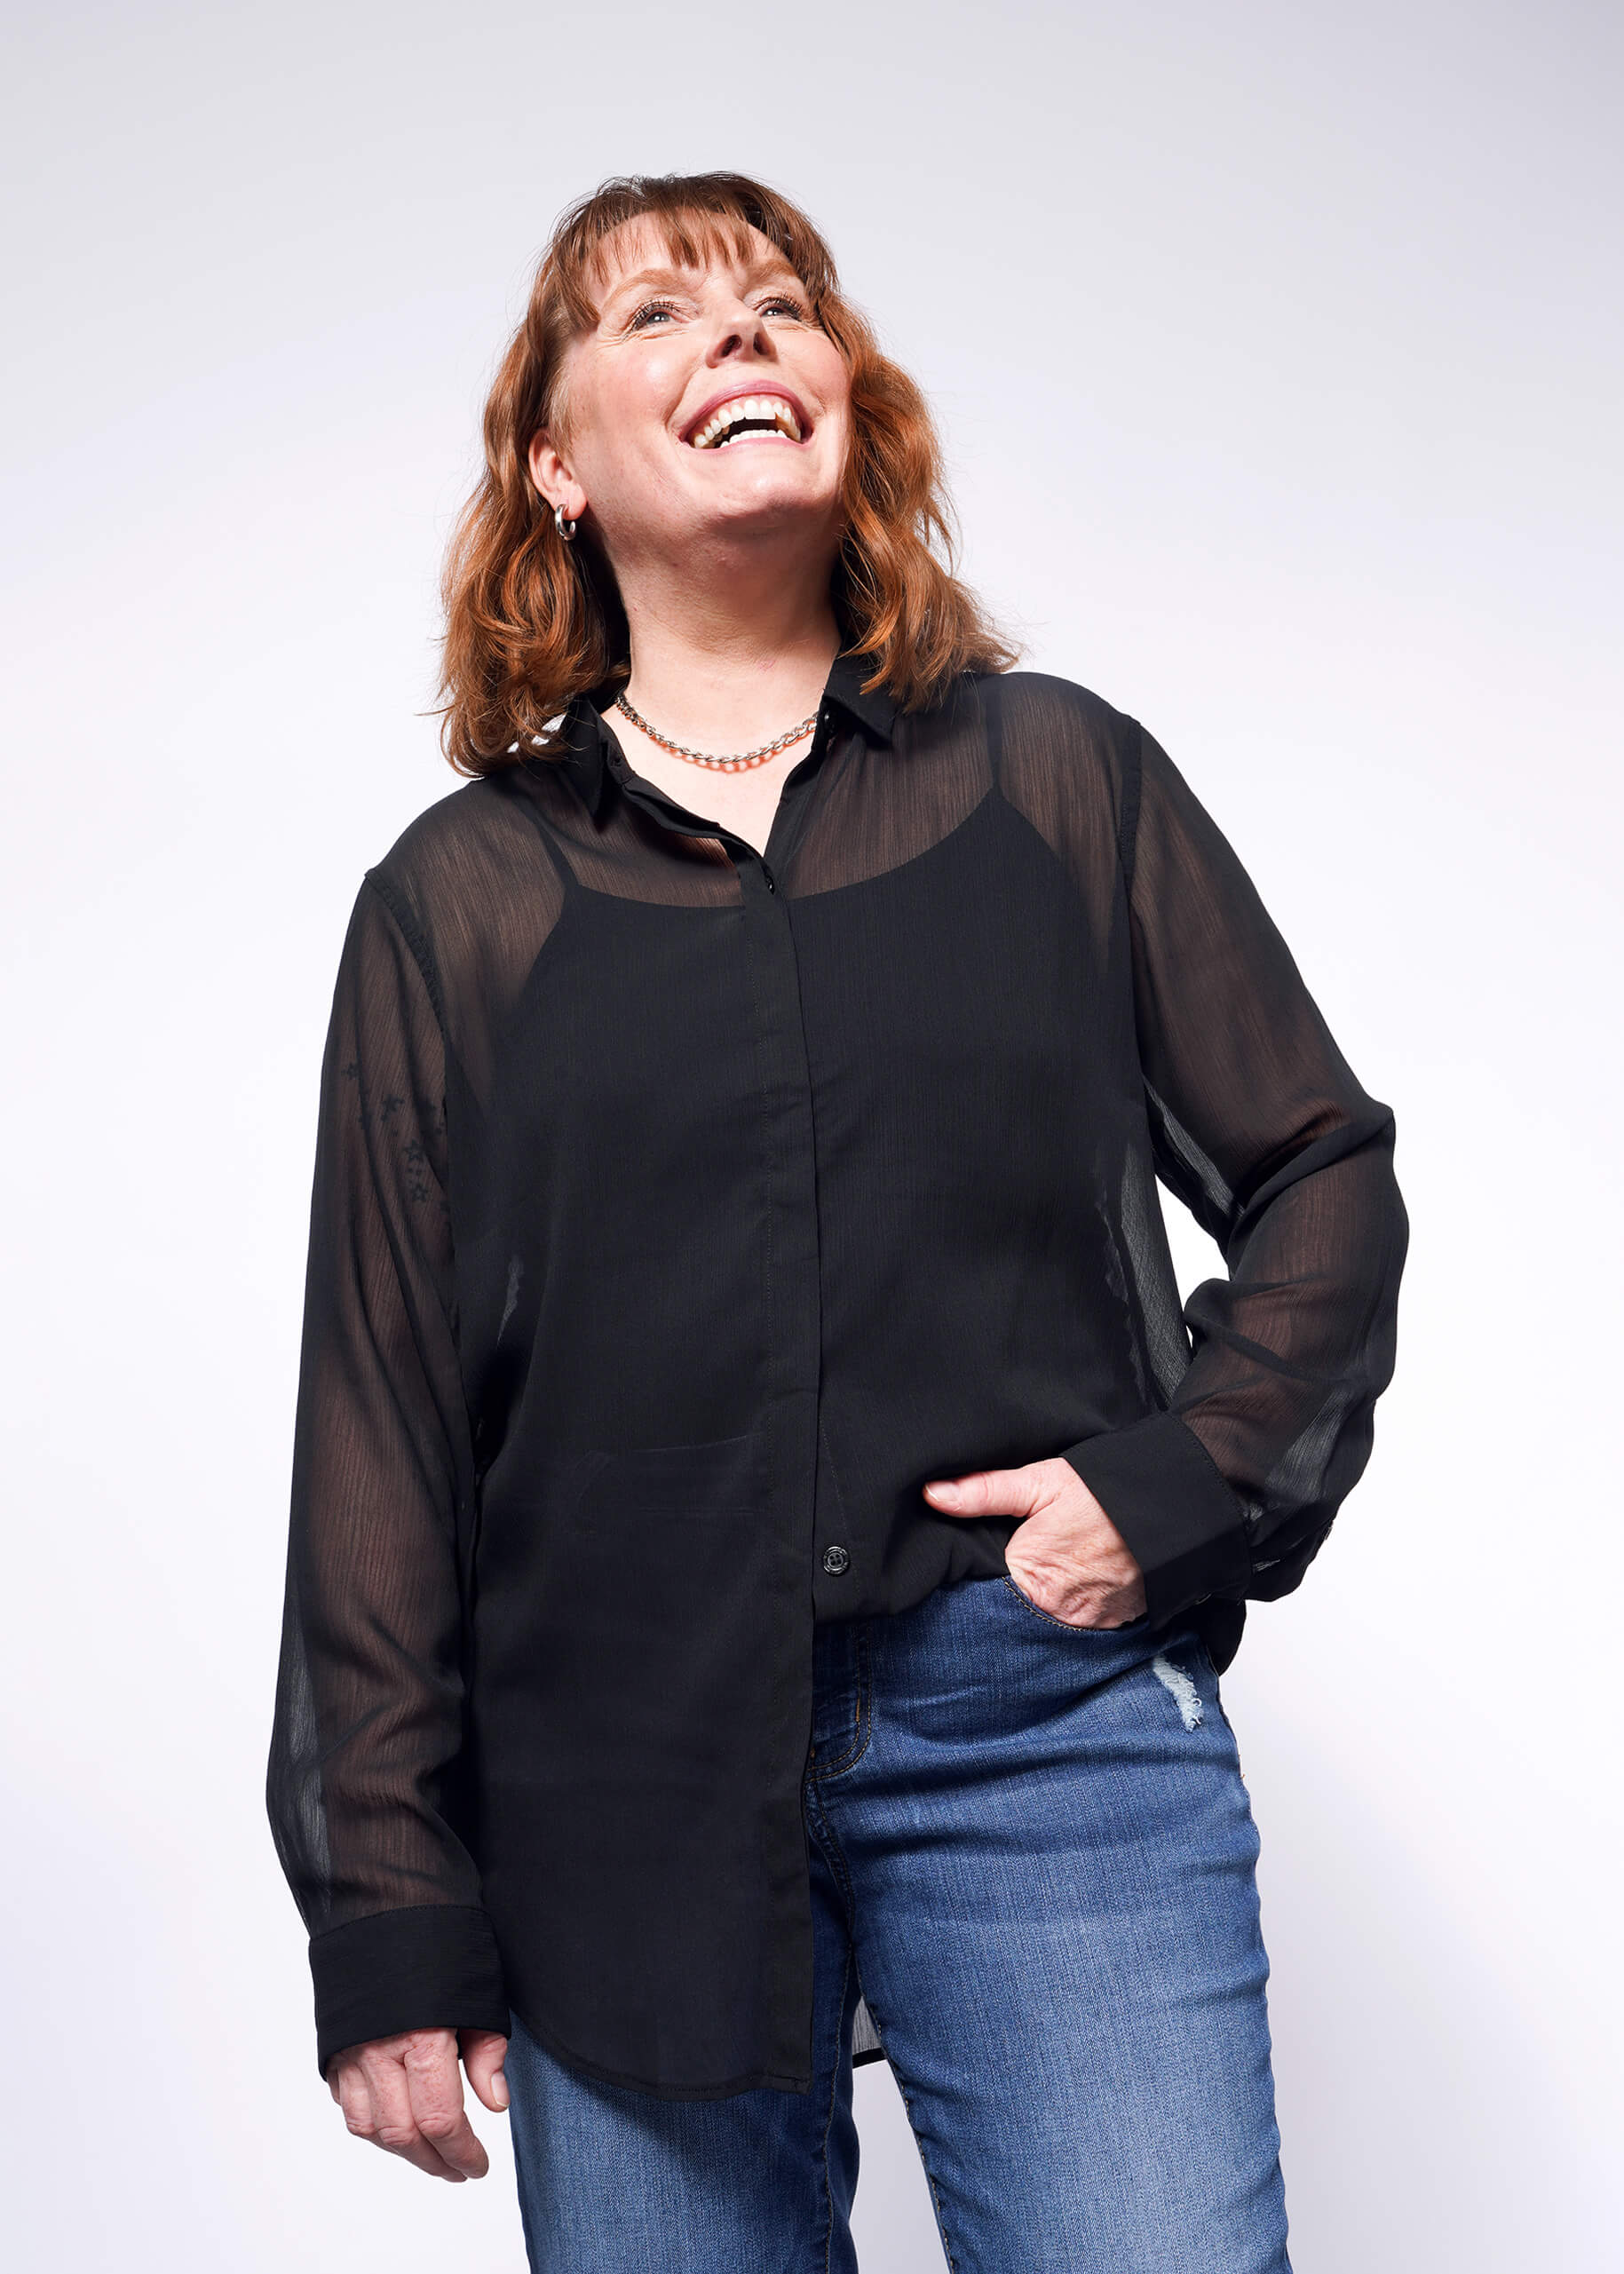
<point x="406" y="2095"/>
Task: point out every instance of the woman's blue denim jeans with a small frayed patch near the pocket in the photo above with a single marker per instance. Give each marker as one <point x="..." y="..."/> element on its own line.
<point x="1034" y="1848"/>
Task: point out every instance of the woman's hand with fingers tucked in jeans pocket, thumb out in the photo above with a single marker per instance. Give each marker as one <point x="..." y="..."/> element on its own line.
<point x="1068" y="1557"/>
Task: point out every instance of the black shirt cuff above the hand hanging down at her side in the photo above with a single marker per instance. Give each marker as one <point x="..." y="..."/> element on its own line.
<point x="433" y="1966"/>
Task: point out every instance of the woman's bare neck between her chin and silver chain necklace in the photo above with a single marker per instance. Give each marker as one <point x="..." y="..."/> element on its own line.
<point x="734" y="656"/>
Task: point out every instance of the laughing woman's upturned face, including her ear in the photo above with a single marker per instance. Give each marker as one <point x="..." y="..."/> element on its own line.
<point x="706" y="406"/>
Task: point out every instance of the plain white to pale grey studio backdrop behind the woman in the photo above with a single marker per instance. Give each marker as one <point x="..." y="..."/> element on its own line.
<point x="1277" y="354"/>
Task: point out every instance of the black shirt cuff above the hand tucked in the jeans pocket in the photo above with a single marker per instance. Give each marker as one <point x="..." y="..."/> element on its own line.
<point x="1175" y="1509"/>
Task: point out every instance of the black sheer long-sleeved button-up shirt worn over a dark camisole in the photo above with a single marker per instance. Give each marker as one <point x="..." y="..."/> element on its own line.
<point x="681" y="1213"/>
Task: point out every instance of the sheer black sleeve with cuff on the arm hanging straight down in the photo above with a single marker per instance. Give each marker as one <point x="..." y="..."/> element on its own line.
<point x="370" y="1716"/>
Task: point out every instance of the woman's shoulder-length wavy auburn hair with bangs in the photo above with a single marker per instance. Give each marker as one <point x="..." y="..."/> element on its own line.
<point x="533" y="622"/>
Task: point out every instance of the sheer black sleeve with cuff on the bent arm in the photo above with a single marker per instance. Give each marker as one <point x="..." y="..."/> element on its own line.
<point x="1263" y="1131"/>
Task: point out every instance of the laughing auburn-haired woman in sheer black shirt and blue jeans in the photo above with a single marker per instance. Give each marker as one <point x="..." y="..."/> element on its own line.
<point x="765" y="1536"/>
